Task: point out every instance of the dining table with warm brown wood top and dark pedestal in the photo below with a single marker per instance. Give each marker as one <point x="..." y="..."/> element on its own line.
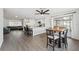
<point x="58" y="30"/>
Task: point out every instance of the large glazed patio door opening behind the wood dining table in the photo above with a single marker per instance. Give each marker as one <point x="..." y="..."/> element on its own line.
<point x="64" y="22"/>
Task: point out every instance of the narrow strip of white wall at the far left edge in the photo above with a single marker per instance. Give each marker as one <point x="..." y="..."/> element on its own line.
<point x="1" y="26"/>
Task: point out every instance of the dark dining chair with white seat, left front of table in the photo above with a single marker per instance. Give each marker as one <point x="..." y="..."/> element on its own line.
<point x="51" y="38"/>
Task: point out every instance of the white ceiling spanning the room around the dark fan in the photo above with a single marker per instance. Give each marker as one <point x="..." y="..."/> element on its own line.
<point x="22" y="13"/>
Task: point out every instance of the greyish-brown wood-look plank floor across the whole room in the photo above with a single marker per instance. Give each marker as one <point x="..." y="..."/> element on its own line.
<point x="18" y="41"/>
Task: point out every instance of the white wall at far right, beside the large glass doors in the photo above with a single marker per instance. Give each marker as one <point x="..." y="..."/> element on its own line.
<point x="75" y="25"/>
